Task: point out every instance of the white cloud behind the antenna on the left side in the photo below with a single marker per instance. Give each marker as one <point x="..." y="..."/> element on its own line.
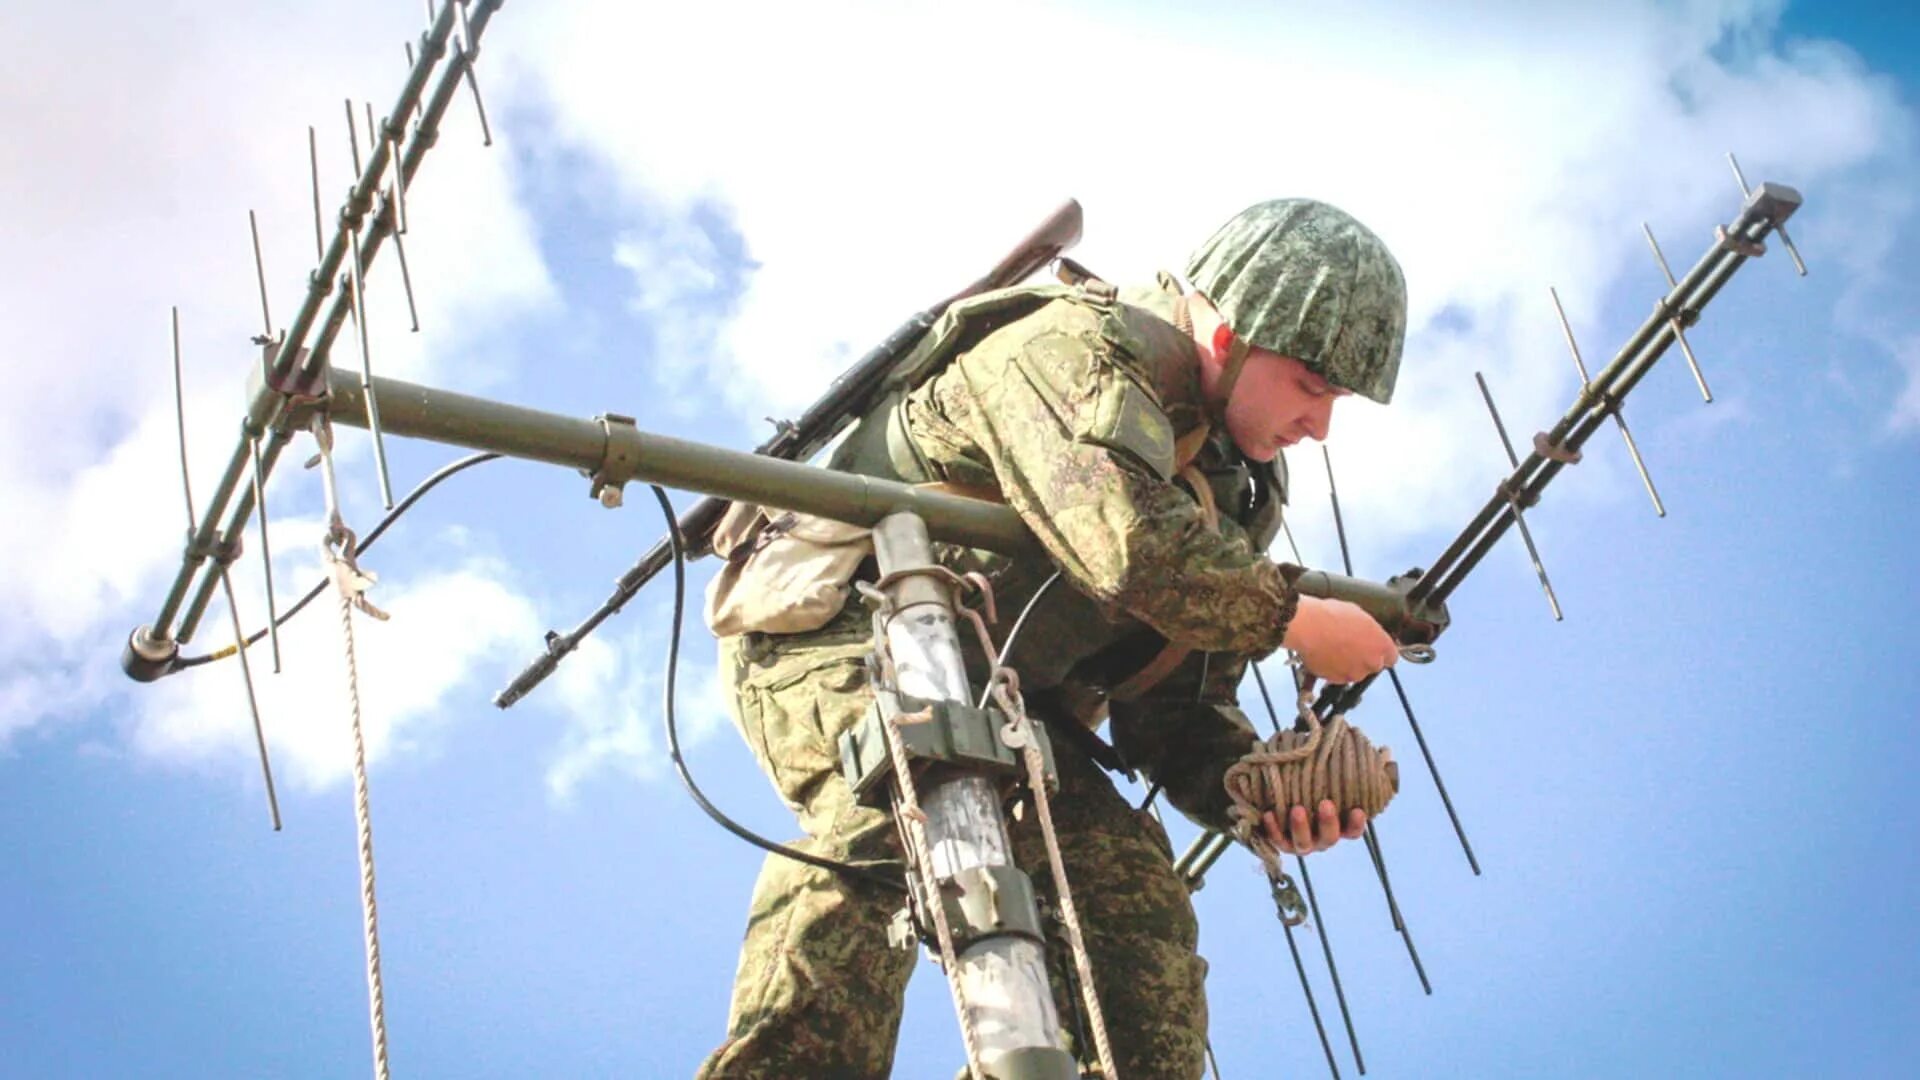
<point x="141" y="139"/>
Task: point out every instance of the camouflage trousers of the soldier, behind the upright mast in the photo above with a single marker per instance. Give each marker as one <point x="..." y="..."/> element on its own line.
<point x="819" y="993"/>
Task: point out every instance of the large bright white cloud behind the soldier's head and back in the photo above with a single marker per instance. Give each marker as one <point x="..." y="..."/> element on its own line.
<point x="876" y="157"/>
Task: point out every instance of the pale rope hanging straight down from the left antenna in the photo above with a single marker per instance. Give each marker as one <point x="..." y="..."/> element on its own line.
<point x="352" y="585"/>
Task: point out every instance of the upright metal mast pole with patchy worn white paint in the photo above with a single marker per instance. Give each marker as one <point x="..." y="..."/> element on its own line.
<point x="1003" y="979"/>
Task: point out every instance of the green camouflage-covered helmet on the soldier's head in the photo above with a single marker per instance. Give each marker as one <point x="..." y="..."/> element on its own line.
<point x="1307" y="282"/>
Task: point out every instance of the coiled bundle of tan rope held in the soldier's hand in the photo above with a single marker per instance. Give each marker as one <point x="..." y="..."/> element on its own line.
<point x="1303" y="770"/>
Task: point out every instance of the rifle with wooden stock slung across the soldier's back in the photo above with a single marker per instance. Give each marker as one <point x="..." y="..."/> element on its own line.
<point x="848" y="399"/>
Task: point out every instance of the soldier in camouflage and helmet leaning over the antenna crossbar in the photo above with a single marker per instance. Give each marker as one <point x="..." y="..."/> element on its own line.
<point x="1138" y="435"/>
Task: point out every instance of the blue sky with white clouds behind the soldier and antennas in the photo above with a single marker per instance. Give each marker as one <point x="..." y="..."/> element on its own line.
<point x="1692" y="800"/>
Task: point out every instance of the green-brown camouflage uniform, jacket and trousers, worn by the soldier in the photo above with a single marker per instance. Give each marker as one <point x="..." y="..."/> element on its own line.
<point x="1070" y="410"/>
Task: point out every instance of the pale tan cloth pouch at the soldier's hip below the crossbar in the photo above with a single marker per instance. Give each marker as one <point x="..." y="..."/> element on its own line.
<point x="786" y="574"/>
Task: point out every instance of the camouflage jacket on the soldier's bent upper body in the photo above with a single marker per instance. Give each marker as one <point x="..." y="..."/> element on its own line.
<point x="1072" y="414"/>
